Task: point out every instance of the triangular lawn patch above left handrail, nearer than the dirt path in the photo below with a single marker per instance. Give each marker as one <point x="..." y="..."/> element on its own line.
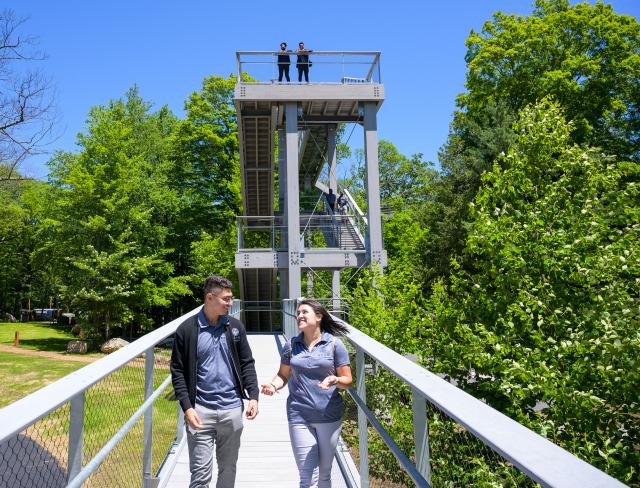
<point x="22" y="375"/>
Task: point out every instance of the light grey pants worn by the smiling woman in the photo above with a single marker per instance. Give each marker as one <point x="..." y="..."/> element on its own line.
<point x="314" y="447"/>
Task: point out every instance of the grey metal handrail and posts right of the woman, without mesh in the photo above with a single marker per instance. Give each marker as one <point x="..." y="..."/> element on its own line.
<point x="538" y="458"/>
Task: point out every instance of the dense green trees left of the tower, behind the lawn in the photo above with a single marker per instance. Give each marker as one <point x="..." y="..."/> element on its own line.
<point x="127" y="226"/>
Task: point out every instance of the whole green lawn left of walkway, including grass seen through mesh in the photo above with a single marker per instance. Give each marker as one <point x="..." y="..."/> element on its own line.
<point x="109" y="403"/>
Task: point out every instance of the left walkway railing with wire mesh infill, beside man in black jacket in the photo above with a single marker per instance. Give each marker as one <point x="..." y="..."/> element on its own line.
<point x="108" y="424"/>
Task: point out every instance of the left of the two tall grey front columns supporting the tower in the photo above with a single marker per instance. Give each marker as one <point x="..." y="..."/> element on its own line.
<point x="293" y="200"/>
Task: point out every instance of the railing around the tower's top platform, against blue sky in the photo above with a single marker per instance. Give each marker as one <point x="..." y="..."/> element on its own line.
<point x="327" y="67"/>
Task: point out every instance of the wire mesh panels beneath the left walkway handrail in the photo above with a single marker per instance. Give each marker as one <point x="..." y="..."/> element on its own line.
<point x="41" y="454"/>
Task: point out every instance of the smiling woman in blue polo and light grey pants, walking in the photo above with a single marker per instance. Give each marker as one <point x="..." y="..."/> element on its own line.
<point x="316" y="365"/>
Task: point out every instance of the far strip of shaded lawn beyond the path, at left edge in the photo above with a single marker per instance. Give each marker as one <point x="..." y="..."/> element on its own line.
<point x="36" y="335"/>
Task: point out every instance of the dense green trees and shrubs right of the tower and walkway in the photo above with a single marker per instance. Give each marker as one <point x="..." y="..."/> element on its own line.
<point x="516" y="276"/>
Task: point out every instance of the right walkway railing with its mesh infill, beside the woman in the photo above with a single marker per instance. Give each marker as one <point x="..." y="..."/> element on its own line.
<point x="457" y="439"/>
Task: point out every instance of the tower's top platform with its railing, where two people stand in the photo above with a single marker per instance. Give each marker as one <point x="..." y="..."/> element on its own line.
<point x="334" y="77"/>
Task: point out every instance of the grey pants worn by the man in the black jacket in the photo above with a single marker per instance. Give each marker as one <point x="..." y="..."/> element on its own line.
<point x="222" y="428"/>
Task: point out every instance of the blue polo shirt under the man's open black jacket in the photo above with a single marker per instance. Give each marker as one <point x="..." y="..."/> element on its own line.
<point x="215" y="388"/>
